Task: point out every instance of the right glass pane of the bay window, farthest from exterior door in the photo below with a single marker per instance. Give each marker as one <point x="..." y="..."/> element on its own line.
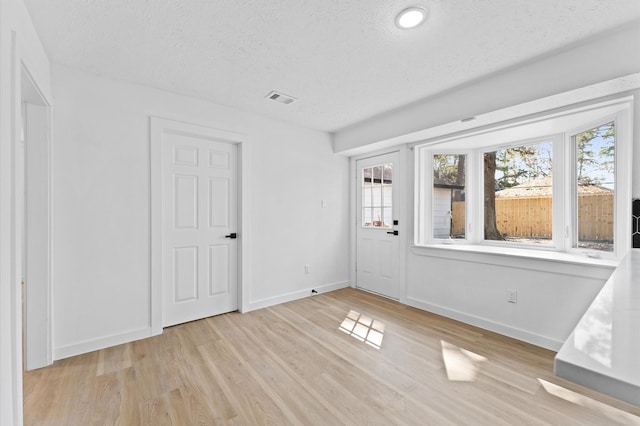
<point x="595" y="173"/>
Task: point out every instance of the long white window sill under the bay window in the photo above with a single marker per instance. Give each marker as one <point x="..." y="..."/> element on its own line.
<point x="521" y="258"/>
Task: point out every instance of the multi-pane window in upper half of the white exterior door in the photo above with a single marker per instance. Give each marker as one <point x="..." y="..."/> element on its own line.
<point x="377" y="191"/>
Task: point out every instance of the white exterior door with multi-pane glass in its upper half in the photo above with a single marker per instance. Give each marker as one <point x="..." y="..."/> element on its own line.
<point x="377" y="246"/>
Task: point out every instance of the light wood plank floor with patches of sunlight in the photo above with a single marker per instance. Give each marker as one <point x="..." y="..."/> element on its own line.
<point x="293" y="364"/>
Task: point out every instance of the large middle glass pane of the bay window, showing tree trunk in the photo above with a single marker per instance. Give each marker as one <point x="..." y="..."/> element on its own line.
<point x="518" y="194"/>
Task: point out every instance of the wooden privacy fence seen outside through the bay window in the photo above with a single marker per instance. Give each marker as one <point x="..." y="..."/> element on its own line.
<point x="530" y="217"/>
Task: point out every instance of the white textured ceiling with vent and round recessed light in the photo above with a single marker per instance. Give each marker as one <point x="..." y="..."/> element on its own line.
<point x="343" y="59"/>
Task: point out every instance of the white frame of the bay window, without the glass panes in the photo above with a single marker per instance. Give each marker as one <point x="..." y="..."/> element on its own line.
<point x="564" y="207"/>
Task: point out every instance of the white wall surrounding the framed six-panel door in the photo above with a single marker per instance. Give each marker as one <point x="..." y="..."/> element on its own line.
<point x="101" y="207"/>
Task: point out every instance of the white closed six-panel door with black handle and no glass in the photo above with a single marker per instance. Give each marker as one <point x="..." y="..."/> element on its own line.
<point x="200" y="252"/>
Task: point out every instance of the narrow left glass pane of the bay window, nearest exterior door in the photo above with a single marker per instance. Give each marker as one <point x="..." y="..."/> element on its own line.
<point x="448" y="196"/>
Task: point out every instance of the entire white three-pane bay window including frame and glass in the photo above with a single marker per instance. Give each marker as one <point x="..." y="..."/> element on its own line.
<point x="560" y="182"/>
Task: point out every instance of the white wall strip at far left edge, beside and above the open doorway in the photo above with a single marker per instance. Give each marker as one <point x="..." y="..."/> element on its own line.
<point x="19" y="46"/>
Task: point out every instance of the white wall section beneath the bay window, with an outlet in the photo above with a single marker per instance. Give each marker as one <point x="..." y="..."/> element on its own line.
<point x="472" y="288"/>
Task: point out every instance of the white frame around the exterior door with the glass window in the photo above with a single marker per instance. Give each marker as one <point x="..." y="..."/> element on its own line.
<point x="404" y="227"/>
